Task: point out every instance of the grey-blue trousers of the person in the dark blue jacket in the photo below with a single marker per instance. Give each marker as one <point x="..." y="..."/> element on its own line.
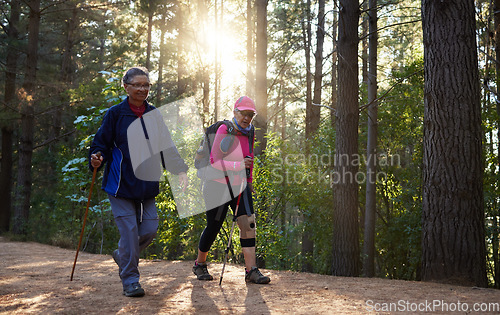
<point x="137" y="222"/>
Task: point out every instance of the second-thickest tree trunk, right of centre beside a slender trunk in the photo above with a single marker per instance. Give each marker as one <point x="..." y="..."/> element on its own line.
<point x="346" y="260"/>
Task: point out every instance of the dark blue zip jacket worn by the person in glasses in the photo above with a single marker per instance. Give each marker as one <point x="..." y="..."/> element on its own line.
<point x="111" y="140"/>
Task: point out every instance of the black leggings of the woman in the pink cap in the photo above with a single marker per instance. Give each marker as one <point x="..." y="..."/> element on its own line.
<point x="216" y="216"/>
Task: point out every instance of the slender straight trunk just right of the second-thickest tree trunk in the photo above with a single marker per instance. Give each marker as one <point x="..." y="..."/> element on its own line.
<point x="371" y="147"/>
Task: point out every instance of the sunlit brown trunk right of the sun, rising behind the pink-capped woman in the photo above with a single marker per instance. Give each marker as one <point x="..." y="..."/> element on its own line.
<point x="261" y="77"/>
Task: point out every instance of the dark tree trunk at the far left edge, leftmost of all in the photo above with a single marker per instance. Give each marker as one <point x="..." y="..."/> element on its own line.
<point x="7" y="128"/>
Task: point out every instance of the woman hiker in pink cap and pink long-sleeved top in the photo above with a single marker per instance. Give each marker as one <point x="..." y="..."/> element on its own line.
<point x="232" y="154"/>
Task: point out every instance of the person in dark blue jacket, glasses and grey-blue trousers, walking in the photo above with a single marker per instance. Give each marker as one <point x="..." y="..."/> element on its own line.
<point x="132" y="199"/>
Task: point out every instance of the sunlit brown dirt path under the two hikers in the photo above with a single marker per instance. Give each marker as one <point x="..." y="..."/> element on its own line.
<point x="35" y="278"/>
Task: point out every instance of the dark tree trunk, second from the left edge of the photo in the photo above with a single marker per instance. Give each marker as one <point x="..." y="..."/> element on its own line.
<point x="28" y="101"/>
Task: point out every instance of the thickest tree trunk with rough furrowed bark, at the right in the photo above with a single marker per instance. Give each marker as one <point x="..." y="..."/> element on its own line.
<point x="453" y="234"/>
